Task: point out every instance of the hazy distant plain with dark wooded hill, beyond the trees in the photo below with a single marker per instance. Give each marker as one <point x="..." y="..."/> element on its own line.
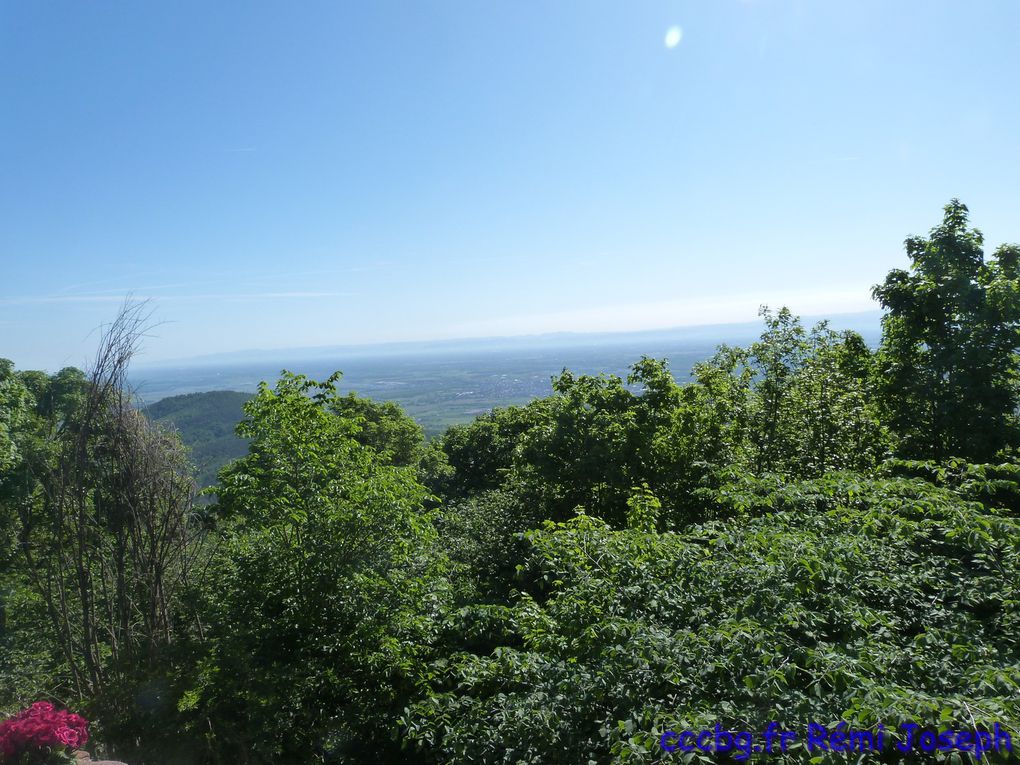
<point x="437" y="391"/>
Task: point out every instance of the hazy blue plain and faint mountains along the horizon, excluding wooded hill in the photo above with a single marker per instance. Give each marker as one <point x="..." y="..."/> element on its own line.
<point x="448" y="383"/>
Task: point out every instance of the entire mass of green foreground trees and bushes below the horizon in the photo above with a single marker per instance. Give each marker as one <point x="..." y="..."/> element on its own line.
<point x="811" y="532"/>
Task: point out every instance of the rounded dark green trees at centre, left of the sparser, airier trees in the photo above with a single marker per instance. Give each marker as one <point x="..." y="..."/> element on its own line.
<point x="588" y="445"/>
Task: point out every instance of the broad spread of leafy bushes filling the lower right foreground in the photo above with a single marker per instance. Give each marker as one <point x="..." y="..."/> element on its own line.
<point x="844" y="598"/>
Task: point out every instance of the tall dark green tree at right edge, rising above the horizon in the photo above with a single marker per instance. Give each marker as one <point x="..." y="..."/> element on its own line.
<point x="948" y="367"/>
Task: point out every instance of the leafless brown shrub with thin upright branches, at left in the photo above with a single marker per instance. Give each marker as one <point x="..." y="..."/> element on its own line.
<point x="111" y="543"/>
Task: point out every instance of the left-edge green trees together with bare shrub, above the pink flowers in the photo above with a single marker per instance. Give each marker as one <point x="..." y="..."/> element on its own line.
<point x="97" y="506"/>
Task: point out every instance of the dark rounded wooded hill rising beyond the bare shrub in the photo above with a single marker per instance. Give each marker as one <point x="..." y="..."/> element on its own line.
<point x="207" y="423"/>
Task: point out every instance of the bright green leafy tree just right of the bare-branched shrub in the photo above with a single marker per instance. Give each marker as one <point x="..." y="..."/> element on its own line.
<point x="328" y="585"/>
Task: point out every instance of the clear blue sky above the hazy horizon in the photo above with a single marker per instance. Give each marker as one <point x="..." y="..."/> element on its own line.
<point x="280" y="175"/>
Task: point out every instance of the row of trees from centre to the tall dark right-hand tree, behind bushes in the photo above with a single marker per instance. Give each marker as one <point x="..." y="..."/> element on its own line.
<point x="797" y="402"/>
